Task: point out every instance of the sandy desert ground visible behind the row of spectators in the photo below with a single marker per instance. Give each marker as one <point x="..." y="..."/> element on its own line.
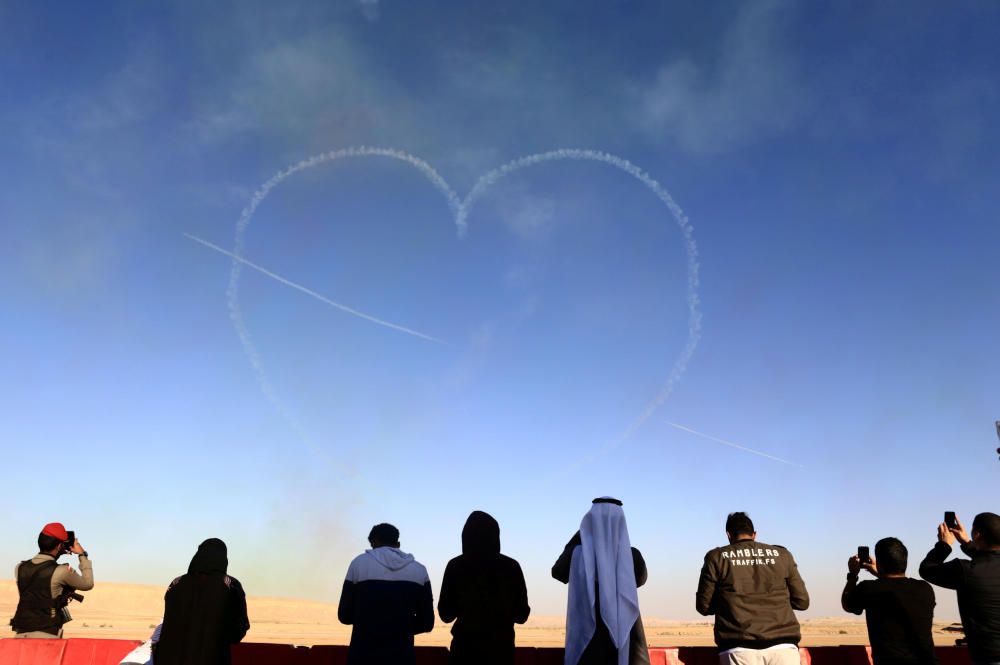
<point x="131" y="611"/>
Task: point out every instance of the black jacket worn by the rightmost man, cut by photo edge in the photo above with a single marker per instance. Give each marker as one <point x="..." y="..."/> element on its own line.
<point x="977" y="582"/>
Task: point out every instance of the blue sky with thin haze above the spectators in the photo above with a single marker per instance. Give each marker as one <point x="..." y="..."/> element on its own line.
<point x="838" y="166"/>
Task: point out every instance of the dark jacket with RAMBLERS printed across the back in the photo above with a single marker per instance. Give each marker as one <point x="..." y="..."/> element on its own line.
<point x="752" y="588"/>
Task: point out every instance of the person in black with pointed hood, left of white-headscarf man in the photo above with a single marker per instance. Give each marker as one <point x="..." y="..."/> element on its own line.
<point x="483" y="591"/>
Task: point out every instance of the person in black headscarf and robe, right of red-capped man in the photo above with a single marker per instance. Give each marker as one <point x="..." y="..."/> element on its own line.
<point x="204" y="613"/>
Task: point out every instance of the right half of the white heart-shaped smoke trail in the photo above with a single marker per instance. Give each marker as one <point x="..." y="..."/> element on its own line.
<point x="693" y="301"/>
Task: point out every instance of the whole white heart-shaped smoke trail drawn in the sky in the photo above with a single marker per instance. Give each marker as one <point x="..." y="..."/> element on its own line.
<point x="460" y="209"/>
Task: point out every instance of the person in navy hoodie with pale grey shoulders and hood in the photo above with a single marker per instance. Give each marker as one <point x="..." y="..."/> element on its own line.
<point x="387" y="598"/>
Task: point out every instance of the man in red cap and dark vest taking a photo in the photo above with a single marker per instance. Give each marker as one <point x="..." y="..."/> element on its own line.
<point x="45" y="587"/>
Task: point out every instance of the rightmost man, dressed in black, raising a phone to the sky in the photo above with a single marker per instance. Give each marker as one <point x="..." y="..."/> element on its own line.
<point x="977" y="581"/>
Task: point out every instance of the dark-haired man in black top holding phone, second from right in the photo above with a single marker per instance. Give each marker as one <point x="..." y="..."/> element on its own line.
<point x="899" y="610"/>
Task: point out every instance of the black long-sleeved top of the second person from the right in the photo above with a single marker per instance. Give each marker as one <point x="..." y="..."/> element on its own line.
<point x="899" y="612"/>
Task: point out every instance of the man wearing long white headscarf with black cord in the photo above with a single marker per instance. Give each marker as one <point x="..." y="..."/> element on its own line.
<point x="603" y="570"/>
